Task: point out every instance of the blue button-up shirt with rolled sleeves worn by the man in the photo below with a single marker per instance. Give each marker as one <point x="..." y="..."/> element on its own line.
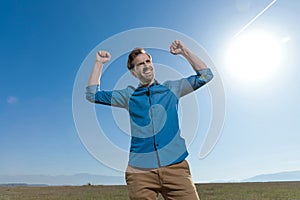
<point x="153" y="111"/>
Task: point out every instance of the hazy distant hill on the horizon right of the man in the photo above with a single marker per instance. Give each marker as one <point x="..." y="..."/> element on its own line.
<point x="281" y="176"/>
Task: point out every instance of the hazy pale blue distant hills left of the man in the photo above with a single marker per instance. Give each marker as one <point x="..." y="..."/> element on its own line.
<point x="77" y="179"/>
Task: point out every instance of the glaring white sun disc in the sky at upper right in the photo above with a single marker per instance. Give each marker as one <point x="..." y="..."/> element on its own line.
<point x="254" y="57"/>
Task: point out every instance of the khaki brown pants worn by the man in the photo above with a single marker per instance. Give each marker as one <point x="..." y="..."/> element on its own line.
<point x="173" y="182"/>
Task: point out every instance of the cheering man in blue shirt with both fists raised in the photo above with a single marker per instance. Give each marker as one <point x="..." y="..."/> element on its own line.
<point x="157" y="154"/>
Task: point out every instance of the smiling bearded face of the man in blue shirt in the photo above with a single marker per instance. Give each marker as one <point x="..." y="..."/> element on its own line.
<point x="143" y="69"/>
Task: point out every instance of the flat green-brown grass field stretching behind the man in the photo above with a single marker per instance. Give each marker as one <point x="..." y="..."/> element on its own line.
<point x="212" y="191"/>
